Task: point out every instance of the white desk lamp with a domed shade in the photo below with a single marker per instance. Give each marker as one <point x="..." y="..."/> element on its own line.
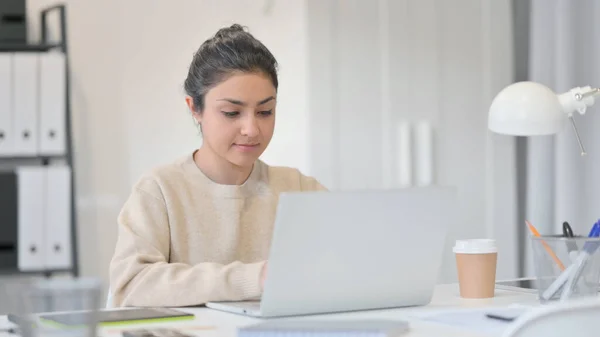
<point x="532" y="109"/>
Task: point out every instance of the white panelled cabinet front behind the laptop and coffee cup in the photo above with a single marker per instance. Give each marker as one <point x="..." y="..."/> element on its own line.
<point x="382" y="62"/>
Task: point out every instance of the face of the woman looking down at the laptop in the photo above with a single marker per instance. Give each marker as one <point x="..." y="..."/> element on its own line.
<point x="239" y="117"/>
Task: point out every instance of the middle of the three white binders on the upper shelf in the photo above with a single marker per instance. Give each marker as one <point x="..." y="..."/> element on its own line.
<point x="25" y="103"/>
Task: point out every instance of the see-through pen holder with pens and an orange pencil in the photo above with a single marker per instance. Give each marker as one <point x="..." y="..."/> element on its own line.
<point x="566" y="268"/>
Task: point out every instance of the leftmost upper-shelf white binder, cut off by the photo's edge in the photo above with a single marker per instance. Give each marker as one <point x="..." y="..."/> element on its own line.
<point x="6" y="119"/>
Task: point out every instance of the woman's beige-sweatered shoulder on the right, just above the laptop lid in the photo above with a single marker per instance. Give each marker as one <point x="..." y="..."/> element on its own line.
<point x="291" y="178"/>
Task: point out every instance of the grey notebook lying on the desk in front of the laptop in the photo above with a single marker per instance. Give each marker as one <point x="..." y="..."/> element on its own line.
<point x="326" y="328"/>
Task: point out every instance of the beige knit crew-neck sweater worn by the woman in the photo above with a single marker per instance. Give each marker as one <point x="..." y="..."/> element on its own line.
<point x="185" y="240"/>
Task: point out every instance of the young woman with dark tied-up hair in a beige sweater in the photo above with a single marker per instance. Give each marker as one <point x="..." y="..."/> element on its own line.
<point x="199" y="229"/>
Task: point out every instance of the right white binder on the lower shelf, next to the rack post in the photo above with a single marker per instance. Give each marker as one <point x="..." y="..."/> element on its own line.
<point x="58" y="217"/>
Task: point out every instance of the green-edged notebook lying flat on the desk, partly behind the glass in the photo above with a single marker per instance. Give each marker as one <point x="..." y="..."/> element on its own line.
<point x="116" y="316"/>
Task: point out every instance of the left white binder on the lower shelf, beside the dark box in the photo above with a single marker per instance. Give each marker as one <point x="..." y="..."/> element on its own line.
<point x="30" y="213"/>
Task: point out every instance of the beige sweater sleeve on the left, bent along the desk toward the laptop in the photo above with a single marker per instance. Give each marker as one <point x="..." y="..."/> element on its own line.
<point x="140" y="272"/>
